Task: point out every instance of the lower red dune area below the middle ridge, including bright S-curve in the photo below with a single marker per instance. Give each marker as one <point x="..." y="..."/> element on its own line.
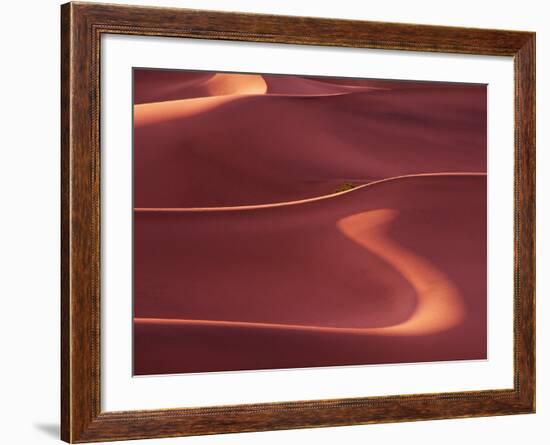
<point x="218" y="290"/>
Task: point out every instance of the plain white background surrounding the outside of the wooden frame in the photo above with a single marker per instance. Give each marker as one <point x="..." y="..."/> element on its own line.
<point x="29" y="239"/>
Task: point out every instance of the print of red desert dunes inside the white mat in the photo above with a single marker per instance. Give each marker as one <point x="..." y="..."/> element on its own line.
<point x="289" y="221"/>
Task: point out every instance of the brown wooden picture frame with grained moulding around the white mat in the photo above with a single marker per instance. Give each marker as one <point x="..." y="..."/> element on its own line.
<point x="82" y="25"/>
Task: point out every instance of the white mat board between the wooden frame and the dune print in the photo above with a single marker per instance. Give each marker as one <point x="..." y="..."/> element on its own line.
<point x="121" y="392"/>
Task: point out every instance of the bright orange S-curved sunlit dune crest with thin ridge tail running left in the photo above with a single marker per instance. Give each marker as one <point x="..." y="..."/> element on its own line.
<point x="439" y="306"/>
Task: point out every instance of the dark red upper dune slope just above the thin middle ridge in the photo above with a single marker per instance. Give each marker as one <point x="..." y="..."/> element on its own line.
<point x="255" y="149"/>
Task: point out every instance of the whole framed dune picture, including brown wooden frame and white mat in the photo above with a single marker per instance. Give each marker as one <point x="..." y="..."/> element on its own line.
<point x="274" y="222"/>
